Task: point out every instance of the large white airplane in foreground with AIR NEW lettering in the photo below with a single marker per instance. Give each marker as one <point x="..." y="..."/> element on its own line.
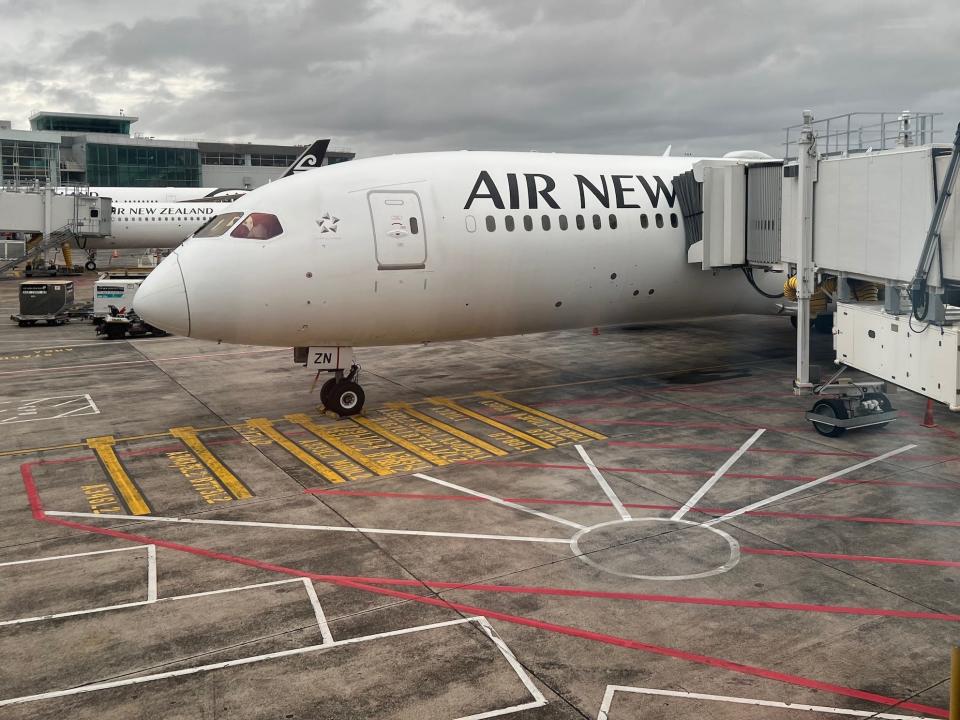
<point x="439" y="246"/>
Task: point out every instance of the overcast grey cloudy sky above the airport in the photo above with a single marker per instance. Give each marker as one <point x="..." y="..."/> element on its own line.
<point x="384" y="76"/>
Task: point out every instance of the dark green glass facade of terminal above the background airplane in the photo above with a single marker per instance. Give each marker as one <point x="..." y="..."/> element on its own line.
<point x="140" y="166"/>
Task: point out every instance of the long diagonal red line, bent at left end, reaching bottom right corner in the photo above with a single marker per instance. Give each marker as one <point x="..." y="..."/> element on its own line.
<point x="347" y="581"/>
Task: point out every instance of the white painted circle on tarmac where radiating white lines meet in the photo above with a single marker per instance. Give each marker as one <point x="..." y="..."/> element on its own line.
<point x="656" y="549"/>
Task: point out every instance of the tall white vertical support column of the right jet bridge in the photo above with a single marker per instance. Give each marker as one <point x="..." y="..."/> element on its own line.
<point x="807" y="162"/>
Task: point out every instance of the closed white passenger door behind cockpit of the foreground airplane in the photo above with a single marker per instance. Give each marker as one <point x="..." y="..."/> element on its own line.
<point x="400" y="239"/>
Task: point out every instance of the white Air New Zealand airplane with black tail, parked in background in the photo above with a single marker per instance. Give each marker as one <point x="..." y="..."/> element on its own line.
<point x="152" y="223"/>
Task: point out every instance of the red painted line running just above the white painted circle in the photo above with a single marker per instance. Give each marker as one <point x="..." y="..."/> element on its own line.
<point x="643" y="506"/>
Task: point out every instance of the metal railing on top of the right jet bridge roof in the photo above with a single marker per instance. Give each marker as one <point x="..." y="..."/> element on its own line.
<point x="858" y="132"/>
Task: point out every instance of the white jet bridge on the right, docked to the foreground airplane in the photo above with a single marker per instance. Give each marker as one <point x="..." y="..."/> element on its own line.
<point x="869" y="224"/>
